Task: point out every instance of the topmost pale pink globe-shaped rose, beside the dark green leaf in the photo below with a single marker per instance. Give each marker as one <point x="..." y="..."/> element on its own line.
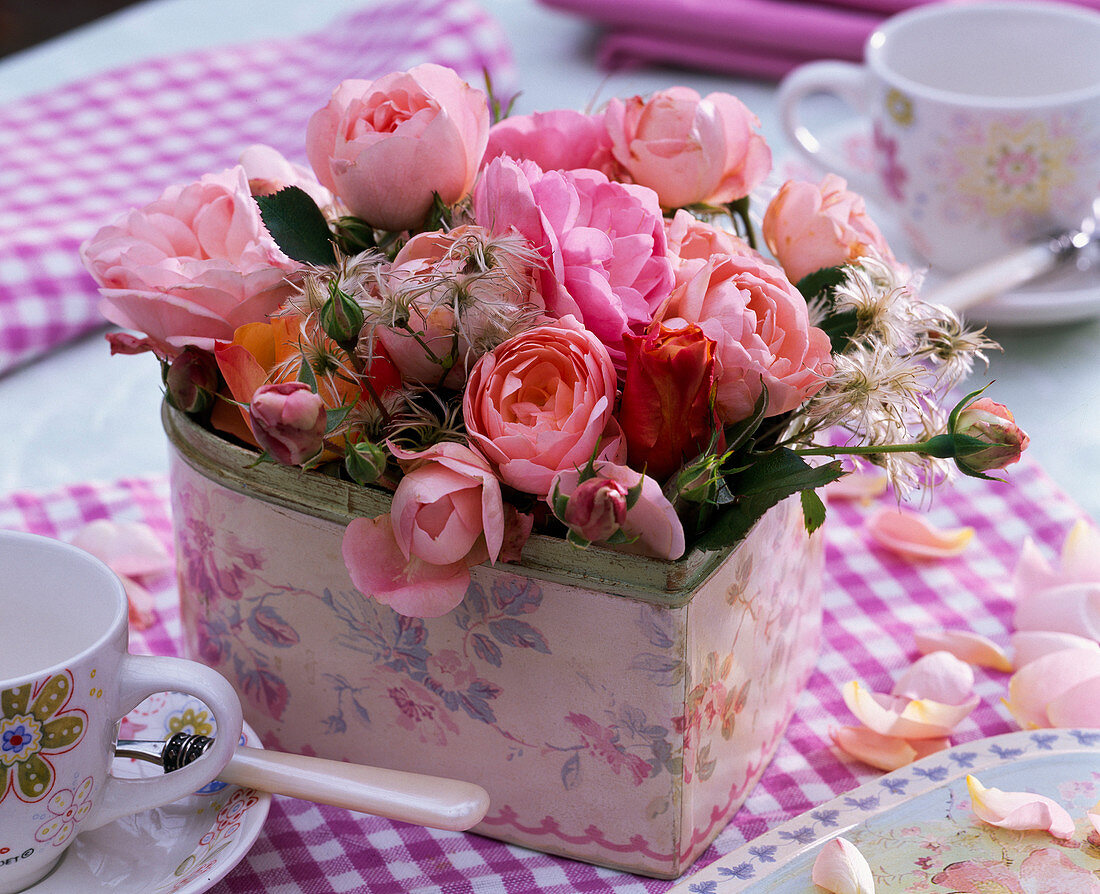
<point x="386" y="147"/>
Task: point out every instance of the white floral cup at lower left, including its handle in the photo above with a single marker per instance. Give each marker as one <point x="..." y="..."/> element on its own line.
<point x="67" y="680"/>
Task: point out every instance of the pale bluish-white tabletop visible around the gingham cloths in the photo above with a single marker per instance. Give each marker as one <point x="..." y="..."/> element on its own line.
<point x="81" y="414"/>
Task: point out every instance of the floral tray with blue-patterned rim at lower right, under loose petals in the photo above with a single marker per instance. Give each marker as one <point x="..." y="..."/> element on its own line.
<point x="917" y="830"/>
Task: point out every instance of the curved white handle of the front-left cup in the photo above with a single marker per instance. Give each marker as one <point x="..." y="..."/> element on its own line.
<point x="145" y="676"/>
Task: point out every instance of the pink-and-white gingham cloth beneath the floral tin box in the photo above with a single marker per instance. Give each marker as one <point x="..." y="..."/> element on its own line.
<point x="874" y="603"/>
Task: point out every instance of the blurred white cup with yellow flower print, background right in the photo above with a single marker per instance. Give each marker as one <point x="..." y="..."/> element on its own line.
<point x="985" y="120"/>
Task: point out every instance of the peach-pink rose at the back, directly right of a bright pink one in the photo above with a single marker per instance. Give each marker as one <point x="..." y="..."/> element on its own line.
<point x="689" y="149"/>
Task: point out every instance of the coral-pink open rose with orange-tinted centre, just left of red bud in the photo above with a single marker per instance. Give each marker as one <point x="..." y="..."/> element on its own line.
<point x="543" y="402"/>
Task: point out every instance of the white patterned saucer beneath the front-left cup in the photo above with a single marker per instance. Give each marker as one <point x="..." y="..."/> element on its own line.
<point x="183" y="848"/>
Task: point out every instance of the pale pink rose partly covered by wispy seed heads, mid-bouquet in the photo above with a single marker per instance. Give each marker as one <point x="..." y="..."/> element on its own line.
<point x="435" y="270"/>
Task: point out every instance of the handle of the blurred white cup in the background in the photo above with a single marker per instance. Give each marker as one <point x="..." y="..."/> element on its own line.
<point x="849" y="83"/>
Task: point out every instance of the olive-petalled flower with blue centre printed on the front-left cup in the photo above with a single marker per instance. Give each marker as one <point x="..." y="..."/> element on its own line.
<point x="37" y="724"/>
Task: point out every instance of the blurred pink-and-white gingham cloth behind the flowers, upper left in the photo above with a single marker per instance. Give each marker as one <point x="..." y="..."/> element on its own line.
<point x="74" y="159"/>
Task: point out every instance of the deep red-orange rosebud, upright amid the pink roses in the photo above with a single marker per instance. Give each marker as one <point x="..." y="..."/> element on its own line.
<point x="668" y="412"/>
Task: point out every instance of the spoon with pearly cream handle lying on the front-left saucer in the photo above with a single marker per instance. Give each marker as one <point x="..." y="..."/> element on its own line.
<point x="412" y="798"/>
